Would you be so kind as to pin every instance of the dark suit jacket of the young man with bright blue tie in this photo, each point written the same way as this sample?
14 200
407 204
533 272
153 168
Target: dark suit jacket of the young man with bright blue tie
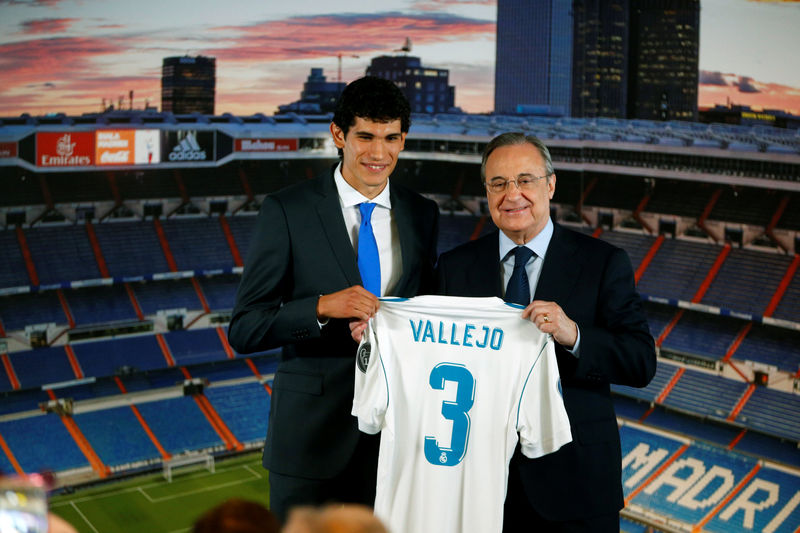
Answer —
300 250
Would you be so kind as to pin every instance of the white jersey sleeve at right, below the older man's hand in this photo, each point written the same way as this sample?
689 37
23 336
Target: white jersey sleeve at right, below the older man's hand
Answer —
542 419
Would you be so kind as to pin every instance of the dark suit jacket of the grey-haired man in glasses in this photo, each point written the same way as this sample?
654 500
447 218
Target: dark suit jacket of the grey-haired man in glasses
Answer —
593 282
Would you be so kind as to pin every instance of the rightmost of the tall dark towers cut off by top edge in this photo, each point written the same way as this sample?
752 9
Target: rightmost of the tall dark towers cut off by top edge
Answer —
664 49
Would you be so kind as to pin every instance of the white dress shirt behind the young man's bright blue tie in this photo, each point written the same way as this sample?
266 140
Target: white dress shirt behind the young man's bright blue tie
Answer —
384 228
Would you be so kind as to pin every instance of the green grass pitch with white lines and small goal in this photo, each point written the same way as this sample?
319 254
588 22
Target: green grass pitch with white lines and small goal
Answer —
150 504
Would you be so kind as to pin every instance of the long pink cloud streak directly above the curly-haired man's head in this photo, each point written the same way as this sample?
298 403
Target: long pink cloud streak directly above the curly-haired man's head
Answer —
316 36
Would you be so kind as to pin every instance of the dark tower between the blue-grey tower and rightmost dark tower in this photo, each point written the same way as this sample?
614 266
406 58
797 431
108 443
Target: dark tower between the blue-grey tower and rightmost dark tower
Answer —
600 58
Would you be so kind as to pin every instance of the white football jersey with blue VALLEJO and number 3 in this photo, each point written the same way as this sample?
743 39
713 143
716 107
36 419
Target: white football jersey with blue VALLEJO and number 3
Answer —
450 382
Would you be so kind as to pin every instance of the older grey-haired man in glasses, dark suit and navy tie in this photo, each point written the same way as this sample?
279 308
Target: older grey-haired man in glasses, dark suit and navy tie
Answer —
581 290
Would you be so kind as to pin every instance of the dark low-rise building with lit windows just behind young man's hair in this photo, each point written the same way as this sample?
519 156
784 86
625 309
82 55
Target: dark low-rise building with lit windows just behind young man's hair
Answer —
426 88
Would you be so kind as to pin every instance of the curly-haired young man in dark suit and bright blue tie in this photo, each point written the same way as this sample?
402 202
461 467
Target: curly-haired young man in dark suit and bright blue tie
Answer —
303 282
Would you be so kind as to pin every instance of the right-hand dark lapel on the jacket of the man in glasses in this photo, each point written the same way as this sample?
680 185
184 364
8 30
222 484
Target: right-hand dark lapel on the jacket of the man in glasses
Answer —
560 269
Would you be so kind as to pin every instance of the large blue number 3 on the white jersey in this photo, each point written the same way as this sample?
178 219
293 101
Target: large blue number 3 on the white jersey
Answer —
456 411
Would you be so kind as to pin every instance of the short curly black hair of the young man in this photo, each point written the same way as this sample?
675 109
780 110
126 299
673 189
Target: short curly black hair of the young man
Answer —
374 99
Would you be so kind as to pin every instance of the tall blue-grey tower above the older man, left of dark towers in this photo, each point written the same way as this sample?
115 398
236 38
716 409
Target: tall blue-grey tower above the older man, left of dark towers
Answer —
533 66
